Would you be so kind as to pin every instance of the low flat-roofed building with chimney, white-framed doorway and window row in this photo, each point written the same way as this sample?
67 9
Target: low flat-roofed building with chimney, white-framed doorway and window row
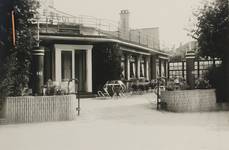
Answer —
70 47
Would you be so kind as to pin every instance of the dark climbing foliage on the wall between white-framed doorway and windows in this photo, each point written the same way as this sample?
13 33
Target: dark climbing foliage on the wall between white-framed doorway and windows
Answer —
106 64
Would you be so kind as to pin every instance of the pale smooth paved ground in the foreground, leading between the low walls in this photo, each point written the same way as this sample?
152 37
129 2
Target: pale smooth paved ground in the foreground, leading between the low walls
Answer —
130 123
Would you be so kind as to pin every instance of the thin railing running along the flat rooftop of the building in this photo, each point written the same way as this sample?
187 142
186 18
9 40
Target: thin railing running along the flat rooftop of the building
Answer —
103 27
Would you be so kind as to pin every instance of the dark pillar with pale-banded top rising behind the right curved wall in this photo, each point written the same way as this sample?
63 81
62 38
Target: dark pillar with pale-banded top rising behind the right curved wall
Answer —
190 60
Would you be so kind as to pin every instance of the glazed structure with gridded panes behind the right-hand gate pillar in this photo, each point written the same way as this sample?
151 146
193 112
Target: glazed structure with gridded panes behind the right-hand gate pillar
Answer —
200 66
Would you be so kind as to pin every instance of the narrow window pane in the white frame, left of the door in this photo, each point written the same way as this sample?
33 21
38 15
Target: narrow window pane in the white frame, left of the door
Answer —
66 65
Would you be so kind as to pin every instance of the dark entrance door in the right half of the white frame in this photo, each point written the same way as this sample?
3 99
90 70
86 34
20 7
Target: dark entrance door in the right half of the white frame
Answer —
80 68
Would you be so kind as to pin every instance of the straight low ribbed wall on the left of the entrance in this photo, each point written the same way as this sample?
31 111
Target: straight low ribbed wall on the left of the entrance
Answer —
40 108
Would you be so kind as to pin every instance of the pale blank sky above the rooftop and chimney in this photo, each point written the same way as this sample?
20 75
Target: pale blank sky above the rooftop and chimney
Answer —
172 17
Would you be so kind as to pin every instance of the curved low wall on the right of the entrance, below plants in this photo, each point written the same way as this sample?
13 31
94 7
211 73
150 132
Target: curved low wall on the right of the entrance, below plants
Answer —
191 101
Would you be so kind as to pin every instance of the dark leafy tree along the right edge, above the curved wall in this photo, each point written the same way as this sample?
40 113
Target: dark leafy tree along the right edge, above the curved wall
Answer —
212 34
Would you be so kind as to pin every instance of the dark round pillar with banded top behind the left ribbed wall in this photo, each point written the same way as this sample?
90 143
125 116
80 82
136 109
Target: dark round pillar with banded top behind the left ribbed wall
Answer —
37 70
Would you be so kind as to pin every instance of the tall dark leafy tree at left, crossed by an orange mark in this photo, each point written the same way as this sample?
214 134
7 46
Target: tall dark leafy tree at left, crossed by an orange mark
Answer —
16 59
